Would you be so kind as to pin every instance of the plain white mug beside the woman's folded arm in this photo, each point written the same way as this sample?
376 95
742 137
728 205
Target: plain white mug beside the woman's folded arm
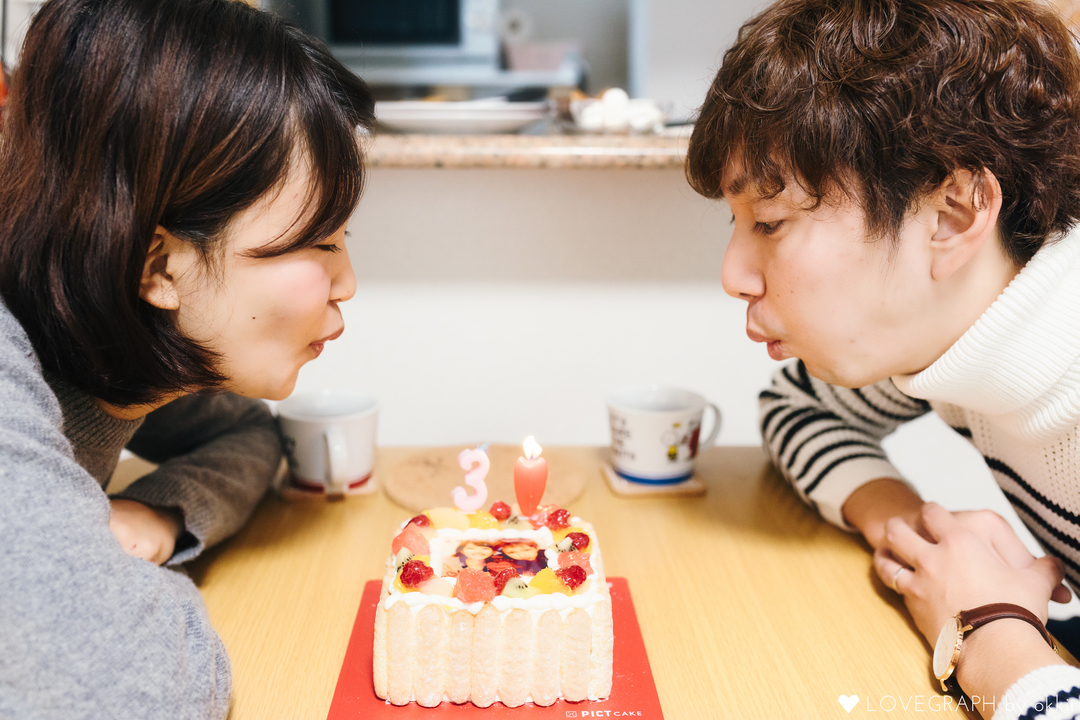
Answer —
330 439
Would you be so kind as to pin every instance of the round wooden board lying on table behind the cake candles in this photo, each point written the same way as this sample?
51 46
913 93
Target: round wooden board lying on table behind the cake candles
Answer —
425 480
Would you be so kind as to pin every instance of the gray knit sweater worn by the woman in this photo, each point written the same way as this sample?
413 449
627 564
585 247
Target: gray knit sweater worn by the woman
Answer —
87 631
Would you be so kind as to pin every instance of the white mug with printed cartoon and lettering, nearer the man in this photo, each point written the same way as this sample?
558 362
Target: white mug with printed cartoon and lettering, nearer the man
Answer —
656 432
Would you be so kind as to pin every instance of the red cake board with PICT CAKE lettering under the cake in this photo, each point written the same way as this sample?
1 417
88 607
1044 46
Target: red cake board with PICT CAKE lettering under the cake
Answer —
633 691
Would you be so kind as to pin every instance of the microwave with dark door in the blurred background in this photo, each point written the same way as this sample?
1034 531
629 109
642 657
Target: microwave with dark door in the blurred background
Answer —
411 33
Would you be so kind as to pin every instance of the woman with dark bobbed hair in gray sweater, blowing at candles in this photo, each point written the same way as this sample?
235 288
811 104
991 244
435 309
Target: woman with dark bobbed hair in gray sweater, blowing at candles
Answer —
175 180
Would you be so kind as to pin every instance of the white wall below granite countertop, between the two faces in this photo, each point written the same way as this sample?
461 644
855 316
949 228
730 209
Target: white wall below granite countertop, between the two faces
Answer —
476 284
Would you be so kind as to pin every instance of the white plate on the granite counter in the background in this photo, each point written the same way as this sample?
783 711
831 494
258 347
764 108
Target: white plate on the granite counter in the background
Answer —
477 117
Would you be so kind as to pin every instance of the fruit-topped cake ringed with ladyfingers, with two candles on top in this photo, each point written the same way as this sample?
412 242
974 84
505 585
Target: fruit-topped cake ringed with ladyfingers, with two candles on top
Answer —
504 605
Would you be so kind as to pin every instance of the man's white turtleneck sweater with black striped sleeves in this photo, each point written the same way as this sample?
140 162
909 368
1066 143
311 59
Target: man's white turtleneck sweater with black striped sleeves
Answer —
1010 385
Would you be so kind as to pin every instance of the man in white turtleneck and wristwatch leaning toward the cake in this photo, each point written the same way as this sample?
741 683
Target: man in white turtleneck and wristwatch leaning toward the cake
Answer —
904 178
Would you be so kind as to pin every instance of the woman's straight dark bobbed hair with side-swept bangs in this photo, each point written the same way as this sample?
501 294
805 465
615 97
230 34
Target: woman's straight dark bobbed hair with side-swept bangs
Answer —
129 115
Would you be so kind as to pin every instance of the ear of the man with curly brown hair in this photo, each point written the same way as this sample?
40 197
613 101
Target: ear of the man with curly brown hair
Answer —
967 207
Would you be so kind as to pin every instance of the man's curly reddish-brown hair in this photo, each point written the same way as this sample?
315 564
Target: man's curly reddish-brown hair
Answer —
884 100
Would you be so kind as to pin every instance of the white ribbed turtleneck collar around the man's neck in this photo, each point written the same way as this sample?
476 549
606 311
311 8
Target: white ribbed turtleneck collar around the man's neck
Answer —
1020 363
